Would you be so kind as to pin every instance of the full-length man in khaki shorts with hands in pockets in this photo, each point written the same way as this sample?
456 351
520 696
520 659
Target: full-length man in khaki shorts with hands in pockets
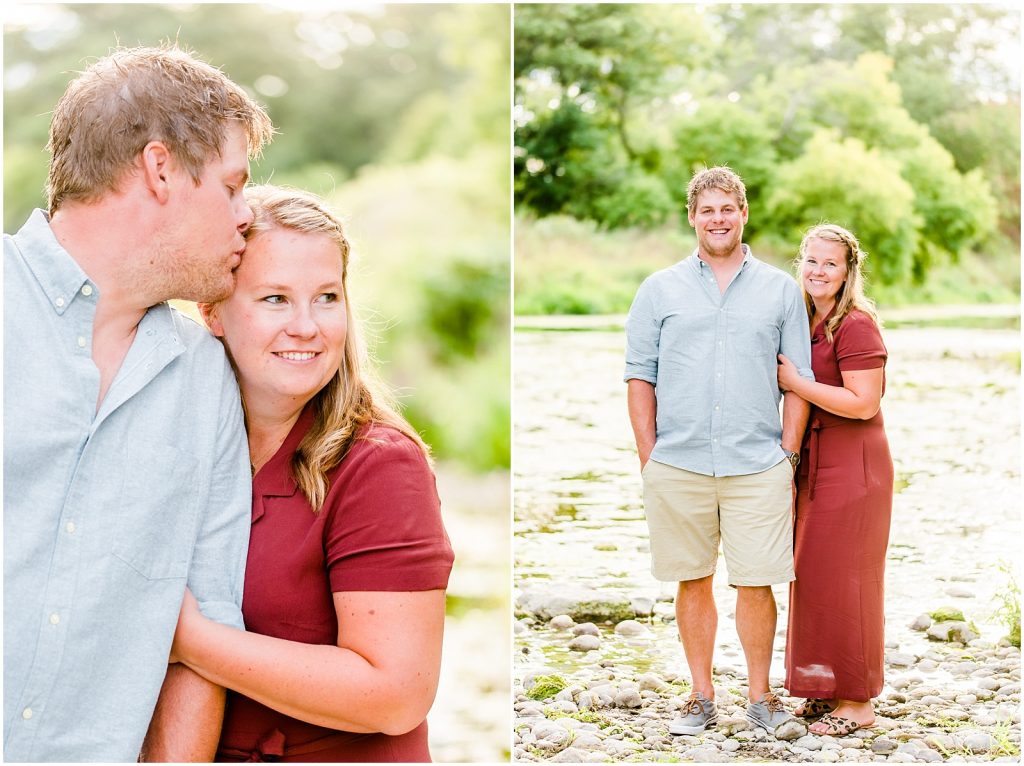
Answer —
701 365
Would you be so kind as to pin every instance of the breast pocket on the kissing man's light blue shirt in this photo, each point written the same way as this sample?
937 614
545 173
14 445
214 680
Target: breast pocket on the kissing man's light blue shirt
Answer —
156 521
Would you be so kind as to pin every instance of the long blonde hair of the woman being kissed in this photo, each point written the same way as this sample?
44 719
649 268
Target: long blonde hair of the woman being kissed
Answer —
355 396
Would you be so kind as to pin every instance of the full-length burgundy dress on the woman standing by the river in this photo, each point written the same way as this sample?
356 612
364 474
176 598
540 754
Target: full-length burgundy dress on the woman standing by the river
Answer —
836 641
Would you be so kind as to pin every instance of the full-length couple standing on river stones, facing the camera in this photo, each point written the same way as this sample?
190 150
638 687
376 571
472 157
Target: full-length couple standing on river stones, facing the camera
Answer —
713 345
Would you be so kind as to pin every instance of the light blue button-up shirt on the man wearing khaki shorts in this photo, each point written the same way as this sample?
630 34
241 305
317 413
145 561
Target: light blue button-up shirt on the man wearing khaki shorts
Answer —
712 360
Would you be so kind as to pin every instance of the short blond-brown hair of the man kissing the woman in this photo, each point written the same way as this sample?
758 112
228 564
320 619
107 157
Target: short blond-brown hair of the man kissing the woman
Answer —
136 96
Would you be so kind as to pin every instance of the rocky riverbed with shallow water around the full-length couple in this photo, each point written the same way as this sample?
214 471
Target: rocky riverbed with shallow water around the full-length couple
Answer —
600 671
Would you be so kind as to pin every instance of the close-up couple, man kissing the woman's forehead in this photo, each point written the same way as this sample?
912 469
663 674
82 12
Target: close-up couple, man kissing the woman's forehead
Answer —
137 480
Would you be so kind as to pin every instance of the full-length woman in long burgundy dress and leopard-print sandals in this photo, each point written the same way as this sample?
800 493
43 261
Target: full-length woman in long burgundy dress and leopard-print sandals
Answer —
836 643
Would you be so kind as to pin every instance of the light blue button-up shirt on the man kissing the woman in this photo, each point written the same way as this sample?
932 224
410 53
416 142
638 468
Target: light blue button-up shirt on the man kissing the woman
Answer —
107 516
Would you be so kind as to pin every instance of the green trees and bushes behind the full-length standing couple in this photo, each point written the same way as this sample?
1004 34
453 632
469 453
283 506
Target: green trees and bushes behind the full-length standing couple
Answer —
901 122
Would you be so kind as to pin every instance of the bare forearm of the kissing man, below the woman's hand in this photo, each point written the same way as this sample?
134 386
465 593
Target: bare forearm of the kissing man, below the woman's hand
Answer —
186 726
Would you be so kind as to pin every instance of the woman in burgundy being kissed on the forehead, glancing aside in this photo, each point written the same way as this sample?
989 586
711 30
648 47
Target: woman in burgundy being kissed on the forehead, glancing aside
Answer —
349 560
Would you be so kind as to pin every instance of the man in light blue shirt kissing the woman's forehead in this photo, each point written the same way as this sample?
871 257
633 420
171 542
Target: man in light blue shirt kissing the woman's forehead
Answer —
126 471
